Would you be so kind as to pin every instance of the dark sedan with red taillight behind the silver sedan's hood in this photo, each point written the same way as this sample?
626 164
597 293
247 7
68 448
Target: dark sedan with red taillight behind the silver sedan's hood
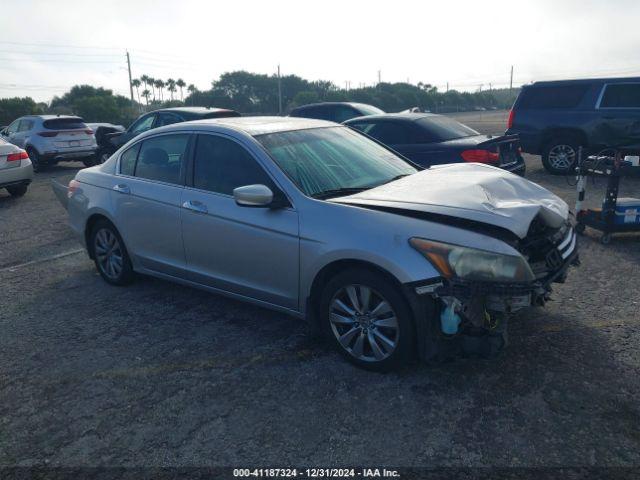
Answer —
428 139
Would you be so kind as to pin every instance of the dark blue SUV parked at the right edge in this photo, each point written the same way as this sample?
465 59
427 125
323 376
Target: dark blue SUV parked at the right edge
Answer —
554 118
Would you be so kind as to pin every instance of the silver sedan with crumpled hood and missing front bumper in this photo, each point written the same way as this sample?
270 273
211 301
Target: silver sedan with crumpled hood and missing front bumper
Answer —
315 220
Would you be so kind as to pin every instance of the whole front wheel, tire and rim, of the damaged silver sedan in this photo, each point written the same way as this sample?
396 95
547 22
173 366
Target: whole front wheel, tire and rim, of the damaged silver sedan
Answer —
367 319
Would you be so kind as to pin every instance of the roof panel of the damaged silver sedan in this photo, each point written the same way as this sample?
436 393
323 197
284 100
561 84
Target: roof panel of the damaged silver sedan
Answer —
252 126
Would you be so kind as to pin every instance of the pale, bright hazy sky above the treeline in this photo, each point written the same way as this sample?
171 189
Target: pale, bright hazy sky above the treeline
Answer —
48 46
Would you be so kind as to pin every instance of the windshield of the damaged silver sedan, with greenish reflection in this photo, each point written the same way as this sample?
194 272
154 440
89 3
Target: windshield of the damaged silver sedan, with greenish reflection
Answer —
331 161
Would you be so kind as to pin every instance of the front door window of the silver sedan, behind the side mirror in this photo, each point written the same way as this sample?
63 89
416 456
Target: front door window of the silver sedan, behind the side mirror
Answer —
221 165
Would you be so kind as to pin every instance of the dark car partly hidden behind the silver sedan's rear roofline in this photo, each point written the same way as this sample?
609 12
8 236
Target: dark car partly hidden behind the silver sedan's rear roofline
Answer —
110 142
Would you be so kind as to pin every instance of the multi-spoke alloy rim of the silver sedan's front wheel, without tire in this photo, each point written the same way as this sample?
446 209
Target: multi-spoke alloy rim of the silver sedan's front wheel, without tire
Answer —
364 323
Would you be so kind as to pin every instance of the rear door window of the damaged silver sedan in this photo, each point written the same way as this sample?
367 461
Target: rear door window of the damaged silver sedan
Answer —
160 158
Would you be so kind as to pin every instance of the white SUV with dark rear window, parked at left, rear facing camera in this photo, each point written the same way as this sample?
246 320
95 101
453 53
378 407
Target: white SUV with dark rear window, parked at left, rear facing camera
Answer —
51 138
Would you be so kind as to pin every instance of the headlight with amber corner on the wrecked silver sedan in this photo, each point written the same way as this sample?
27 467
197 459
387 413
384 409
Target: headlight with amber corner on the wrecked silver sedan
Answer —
473 264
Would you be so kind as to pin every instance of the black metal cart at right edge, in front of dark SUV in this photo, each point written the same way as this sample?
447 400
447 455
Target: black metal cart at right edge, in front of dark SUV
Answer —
613 169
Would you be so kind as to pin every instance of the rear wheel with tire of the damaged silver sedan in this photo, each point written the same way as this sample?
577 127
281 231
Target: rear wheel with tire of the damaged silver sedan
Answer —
110 254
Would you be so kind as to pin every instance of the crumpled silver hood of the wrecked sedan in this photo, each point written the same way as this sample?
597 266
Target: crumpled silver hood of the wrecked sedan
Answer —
471 191
